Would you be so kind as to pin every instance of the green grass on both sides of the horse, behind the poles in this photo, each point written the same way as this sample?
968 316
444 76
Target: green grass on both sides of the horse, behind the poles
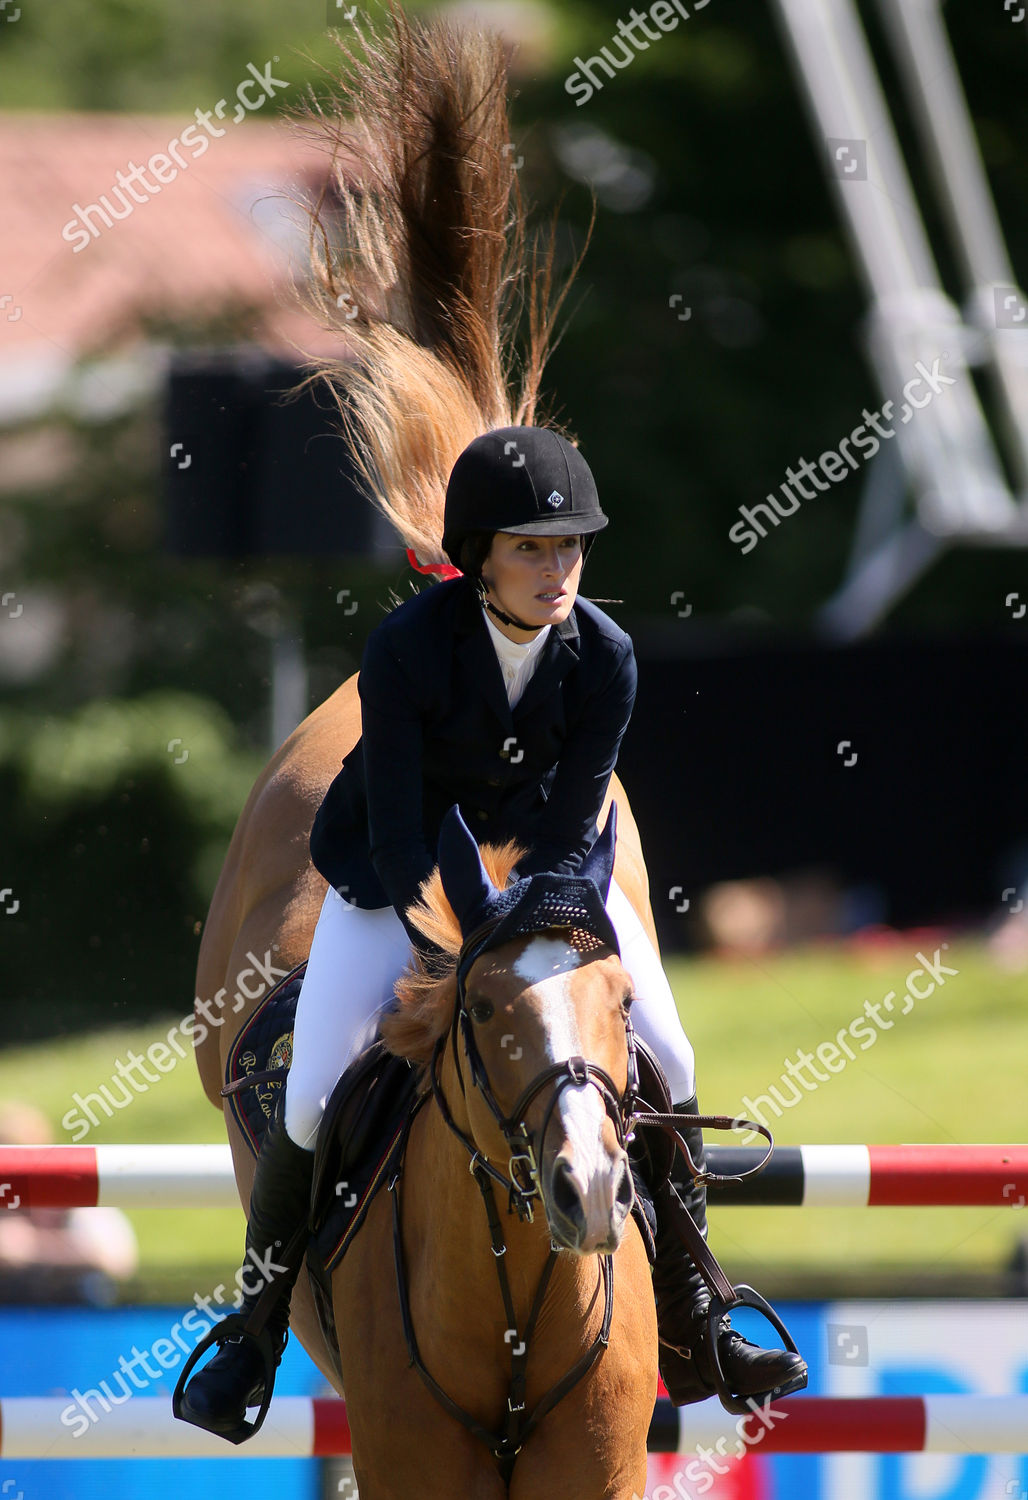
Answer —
952 1070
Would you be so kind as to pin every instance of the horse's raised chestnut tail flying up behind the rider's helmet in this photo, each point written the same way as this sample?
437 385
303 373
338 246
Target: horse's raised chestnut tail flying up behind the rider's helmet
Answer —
421 257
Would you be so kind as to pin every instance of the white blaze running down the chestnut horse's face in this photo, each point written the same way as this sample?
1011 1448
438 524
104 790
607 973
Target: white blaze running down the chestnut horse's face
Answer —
547 965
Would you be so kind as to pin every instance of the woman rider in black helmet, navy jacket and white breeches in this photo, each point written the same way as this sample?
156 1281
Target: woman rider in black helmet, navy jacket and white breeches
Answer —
508 694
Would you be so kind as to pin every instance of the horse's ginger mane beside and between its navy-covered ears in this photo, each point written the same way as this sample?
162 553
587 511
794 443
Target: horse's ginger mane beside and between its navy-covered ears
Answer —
425 997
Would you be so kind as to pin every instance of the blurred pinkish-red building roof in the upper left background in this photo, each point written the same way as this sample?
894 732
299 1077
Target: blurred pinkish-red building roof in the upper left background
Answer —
214 245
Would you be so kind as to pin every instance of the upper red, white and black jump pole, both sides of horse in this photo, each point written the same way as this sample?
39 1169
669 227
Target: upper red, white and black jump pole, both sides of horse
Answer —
811 1177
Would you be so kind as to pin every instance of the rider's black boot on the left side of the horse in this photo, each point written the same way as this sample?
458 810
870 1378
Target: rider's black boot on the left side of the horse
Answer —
217 1397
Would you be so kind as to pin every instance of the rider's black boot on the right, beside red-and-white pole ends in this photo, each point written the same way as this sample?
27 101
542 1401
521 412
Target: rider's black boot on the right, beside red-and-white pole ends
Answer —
684 1300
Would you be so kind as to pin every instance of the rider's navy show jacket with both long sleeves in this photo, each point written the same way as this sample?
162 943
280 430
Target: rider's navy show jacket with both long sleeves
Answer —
437 730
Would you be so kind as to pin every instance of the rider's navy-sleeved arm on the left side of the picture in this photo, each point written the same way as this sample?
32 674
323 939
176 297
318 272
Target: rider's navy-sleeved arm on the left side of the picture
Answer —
392 748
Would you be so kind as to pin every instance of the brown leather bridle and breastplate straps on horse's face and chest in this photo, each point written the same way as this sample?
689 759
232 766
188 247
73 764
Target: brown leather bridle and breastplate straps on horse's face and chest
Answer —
523 1187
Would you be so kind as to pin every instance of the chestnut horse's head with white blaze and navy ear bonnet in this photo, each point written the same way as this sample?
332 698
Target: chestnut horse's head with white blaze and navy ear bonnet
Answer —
543 1009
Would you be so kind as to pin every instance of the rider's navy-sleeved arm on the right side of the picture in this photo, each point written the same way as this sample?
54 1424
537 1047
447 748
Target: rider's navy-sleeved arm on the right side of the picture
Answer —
585 772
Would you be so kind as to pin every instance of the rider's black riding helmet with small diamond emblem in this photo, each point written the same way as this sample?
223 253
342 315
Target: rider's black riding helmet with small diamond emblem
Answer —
528 481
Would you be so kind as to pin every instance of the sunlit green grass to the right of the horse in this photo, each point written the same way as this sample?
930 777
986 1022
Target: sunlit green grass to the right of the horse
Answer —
952 1070
